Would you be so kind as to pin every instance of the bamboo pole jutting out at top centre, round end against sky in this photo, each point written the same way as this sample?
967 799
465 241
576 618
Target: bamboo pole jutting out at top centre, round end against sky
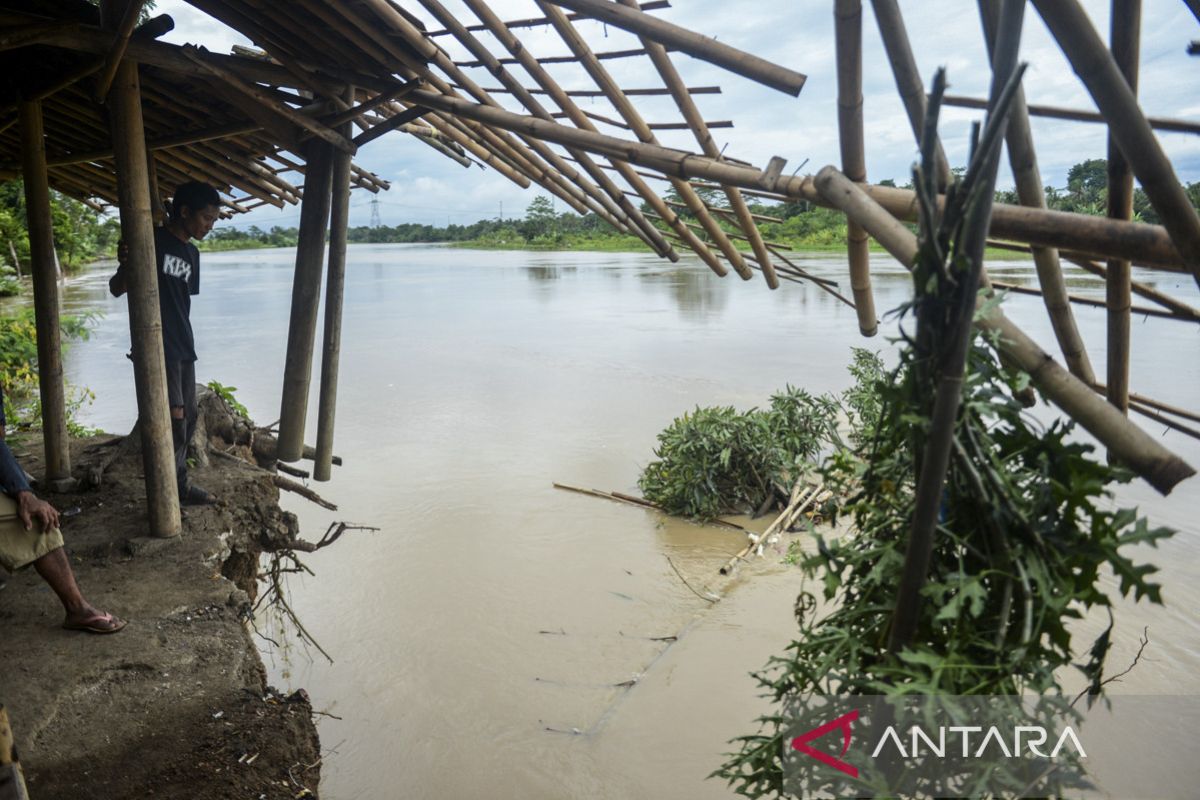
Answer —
694 45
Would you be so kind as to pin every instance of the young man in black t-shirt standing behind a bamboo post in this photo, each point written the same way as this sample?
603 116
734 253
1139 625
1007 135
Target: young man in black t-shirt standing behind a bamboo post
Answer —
193 213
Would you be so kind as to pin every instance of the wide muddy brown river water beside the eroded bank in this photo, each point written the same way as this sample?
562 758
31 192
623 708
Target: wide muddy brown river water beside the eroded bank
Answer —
502 639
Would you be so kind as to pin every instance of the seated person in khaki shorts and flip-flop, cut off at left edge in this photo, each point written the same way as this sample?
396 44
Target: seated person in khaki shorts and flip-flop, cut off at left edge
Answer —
29 534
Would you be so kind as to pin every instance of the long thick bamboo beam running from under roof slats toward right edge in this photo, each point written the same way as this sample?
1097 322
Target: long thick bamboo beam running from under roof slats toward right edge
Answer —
1079 233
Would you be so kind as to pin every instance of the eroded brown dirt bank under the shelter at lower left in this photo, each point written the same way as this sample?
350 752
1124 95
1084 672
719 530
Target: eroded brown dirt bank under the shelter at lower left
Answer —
176 706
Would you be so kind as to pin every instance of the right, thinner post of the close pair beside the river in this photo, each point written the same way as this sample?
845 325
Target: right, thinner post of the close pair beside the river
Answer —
332 341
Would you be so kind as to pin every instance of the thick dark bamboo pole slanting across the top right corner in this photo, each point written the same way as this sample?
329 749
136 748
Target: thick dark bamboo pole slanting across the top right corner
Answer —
1100 73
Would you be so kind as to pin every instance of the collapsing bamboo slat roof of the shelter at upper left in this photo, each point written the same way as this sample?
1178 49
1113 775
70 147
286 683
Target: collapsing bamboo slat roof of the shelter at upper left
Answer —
244 122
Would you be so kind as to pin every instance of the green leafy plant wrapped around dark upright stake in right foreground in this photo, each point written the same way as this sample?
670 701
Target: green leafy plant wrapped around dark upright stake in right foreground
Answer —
1024 532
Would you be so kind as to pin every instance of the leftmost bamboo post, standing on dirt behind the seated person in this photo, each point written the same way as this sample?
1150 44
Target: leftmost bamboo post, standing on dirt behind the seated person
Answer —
46 293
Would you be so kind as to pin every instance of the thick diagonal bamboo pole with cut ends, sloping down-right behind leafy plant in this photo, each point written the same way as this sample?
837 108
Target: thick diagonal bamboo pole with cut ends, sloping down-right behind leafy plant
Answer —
1149 459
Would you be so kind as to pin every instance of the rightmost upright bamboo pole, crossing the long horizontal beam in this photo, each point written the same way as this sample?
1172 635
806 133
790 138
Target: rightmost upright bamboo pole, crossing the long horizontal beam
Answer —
1125 34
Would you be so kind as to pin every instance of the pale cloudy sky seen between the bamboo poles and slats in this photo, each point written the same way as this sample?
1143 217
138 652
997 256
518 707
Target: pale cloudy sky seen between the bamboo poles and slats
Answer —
799 34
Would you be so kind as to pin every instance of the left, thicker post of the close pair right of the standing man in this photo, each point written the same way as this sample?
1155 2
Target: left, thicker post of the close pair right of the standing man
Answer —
305 299
